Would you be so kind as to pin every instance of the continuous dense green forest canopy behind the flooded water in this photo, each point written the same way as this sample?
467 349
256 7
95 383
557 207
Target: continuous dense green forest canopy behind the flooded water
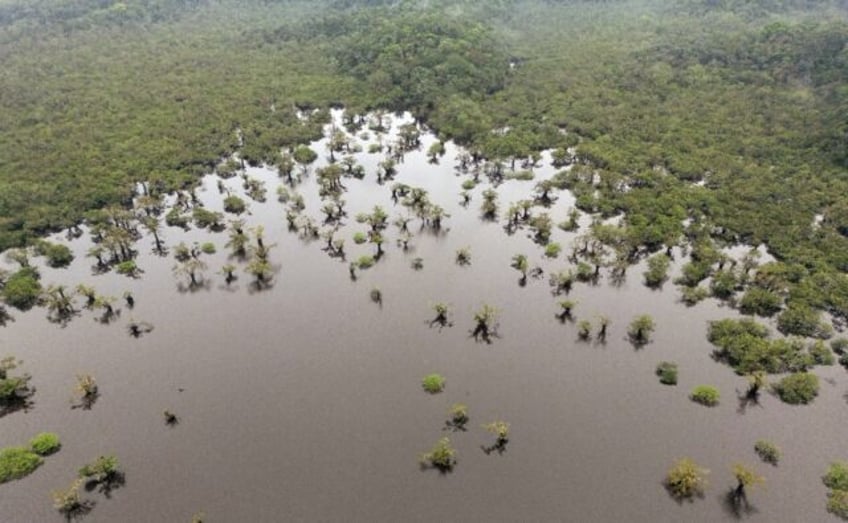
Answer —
704 123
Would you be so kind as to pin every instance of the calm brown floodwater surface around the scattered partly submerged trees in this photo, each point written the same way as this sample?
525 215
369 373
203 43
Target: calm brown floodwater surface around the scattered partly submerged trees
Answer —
303 402
